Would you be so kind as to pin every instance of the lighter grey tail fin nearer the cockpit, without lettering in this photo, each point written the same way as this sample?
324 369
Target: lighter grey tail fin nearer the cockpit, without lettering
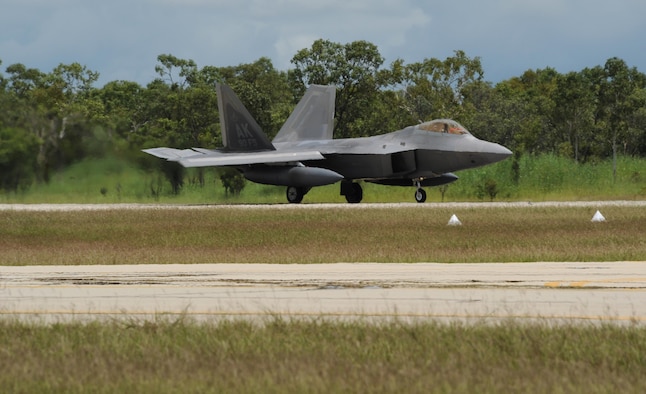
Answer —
313 117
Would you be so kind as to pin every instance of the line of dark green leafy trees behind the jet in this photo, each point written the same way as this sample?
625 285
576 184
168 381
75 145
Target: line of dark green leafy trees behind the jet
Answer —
49 120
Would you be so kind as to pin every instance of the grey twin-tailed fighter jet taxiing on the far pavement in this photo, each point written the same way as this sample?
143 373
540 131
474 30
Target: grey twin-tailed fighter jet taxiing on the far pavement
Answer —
304 154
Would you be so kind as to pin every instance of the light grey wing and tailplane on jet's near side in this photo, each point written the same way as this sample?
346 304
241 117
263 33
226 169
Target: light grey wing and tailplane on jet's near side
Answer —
212 158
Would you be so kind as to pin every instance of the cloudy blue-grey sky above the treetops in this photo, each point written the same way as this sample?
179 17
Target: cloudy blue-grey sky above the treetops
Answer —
121 39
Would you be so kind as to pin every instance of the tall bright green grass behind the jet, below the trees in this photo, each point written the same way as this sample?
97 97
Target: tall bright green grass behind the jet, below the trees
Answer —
541 178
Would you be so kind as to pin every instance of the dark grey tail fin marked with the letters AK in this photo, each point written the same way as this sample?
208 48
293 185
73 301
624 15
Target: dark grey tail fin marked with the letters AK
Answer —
240 132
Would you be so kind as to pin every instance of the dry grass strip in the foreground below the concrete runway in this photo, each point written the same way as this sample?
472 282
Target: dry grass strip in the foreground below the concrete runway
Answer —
320 356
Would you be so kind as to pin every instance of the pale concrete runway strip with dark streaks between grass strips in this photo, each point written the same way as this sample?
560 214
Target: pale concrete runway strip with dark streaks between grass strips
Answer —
590 292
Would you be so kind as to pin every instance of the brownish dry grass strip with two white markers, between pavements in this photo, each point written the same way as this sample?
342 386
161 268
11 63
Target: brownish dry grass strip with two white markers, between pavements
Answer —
235 235
